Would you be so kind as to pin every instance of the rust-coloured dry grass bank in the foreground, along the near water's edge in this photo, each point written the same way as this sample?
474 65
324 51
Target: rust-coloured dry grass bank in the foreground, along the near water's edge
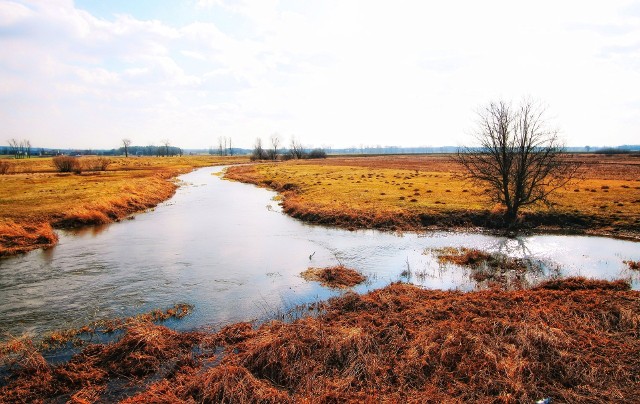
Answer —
569 340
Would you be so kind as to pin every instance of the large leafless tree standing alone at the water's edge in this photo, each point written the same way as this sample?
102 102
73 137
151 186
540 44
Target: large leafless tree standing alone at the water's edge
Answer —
519 158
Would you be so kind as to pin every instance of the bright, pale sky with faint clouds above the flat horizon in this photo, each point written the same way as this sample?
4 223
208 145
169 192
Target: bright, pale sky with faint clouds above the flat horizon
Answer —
331 73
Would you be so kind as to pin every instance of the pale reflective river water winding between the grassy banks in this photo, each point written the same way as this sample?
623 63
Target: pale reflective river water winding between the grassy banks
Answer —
226 248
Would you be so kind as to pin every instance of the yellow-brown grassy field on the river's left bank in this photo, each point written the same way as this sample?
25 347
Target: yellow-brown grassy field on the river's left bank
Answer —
35 198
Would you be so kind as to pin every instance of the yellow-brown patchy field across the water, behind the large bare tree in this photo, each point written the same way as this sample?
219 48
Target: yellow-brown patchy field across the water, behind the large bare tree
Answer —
427 192
